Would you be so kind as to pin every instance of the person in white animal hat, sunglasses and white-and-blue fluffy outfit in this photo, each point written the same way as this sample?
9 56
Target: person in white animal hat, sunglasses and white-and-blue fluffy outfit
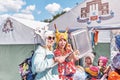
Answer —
43 61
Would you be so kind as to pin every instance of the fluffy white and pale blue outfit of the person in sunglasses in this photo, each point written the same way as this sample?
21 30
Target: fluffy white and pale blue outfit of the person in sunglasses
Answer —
42 62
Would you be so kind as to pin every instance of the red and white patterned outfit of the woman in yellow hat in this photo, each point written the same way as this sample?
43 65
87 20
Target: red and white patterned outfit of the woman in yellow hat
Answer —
65 69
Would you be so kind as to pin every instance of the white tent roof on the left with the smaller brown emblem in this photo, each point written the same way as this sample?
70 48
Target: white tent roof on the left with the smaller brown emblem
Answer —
18 31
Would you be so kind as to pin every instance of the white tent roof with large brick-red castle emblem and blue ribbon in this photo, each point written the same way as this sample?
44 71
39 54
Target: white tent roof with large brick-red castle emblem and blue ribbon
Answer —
90 13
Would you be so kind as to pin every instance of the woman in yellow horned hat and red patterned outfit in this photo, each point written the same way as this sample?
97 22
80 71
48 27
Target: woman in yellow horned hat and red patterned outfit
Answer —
67 68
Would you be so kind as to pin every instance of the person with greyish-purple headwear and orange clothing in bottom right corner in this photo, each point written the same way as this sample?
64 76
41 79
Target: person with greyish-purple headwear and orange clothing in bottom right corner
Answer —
115 74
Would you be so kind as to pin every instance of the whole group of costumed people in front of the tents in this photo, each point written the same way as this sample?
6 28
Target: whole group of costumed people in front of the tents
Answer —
58 63
